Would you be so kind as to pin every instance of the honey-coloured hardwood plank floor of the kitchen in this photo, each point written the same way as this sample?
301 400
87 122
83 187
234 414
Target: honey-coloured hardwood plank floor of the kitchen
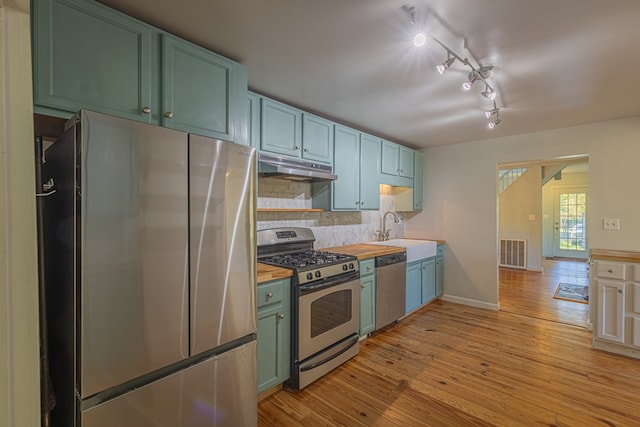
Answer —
452 365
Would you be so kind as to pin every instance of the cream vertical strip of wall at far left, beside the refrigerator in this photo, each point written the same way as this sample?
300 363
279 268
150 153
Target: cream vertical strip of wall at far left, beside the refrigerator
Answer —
19 355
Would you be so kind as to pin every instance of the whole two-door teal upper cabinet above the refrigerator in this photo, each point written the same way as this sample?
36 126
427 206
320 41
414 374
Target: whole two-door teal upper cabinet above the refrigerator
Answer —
87 55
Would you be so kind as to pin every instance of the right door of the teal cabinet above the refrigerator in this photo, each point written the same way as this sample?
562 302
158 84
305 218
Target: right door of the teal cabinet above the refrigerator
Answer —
201 91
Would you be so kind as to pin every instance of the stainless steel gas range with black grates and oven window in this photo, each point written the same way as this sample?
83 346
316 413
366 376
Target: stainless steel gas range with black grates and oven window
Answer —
325 302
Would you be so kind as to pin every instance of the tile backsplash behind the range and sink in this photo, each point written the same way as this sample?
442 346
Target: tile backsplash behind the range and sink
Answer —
329 228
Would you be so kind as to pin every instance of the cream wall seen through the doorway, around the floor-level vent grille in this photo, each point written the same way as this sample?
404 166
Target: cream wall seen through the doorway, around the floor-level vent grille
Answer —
519 214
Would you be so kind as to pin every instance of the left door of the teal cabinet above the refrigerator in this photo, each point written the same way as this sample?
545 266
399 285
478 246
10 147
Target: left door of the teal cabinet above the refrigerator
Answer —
89 56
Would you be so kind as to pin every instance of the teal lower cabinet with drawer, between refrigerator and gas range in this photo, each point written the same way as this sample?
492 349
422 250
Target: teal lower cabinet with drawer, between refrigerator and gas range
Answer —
274 313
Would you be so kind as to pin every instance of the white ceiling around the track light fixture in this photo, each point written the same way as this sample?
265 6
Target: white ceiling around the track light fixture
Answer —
557 62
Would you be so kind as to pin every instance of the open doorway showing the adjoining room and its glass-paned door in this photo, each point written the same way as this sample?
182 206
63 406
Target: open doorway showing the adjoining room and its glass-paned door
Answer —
550 212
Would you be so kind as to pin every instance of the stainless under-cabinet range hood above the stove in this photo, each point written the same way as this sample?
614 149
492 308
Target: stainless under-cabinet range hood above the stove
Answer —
293 169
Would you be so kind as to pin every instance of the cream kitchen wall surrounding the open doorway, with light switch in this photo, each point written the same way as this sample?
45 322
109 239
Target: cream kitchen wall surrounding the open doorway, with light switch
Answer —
461 199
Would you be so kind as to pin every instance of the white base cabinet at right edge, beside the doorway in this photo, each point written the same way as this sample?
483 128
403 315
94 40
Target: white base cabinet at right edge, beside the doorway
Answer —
616 303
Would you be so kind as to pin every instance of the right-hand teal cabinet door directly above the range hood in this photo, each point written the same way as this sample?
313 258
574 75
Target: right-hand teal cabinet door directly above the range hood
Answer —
317 138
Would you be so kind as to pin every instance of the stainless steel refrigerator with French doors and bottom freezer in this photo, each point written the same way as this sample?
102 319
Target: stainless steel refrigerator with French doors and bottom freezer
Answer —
150 283
